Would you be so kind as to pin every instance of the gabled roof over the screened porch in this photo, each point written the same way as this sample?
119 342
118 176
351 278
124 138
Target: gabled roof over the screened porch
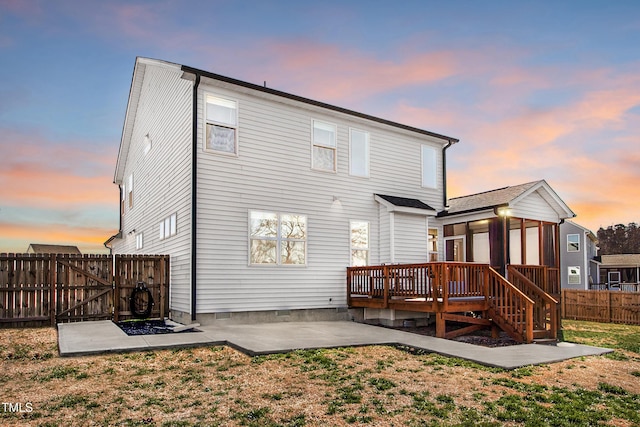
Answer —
507 197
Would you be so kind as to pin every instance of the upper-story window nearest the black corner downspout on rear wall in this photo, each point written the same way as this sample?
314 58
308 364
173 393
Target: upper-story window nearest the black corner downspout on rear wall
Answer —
222 124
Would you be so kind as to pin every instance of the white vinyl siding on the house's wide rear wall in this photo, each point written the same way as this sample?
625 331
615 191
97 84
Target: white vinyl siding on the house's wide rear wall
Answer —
273 175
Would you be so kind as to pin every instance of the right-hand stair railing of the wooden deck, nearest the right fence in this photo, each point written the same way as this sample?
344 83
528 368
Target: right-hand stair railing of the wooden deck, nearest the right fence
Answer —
546 312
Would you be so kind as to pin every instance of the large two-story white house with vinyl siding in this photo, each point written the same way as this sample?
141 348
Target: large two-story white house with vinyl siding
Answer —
263 198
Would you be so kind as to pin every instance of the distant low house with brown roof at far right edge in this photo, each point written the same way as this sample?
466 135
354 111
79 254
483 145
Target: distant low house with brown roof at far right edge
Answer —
620 272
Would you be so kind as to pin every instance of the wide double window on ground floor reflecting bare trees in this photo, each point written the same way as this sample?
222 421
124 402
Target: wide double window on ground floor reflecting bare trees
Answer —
277 239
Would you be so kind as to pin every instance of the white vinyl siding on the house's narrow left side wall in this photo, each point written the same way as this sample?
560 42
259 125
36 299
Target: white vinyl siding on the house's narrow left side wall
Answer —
162 175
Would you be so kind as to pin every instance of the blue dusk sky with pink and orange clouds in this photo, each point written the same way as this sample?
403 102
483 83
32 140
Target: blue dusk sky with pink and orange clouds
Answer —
533 90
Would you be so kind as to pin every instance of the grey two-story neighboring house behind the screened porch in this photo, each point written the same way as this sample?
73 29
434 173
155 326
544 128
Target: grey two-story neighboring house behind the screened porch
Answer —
579 267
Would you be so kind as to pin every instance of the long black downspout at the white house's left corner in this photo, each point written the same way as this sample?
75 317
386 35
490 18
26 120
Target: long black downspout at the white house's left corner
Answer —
194 198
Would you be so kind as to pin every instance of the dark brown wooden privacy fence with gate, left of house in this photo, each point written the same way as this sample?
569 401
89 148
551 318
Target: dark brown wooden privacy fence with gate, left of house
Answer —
43 289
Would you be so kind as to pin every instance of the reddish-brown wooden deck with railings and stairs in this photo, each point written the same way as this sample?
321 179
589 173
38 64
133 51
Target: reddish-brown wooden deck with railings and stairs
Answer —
453 291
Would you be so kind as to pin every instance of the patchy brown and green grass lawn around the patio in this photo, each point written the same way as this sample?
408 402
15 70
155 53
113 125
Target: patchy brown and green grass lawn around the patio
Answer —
377 386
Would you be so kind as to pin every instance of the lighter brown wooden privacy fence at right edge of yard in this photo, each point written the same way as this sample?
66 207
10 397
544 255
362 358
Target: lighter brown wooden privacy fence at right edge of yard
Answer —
601 306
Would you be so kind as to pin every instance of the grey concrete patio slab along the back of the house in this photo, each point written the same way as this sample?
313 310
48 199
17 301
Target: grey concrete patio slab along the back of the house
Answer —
83 338
